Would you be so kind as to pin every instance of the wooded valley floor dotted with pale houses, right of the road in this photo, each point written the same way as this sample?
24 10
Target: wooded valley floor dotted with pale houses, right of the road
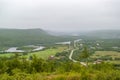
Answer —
102 44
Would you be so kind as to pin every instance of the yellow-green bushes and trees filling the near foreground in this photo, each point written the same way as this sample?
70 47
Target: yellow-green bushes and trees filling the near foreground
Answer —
39 69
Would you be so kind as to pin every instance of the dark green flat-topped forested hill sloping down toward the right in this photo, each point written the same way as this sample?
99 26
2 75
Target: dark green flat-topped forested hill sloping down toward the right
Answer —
19 37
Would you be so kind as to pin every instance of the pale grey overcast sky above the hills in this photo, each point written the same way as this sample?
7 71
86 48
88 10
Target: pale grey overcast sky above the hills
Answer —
60 14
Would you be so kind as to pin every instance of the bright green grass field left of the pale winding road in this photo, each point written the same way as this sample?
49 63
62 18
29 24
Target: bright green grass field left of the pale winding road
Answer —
41 54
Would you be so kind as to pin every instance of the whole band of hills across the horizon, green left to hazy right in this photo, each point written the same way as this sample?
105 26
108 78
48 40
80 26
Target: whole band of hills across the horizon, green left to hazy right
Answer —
20 37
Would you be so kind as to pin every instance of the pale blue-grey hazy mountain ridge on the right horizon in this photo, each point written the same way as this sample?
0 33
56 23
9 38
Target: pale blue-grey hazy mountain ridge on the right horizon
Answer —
104 34
